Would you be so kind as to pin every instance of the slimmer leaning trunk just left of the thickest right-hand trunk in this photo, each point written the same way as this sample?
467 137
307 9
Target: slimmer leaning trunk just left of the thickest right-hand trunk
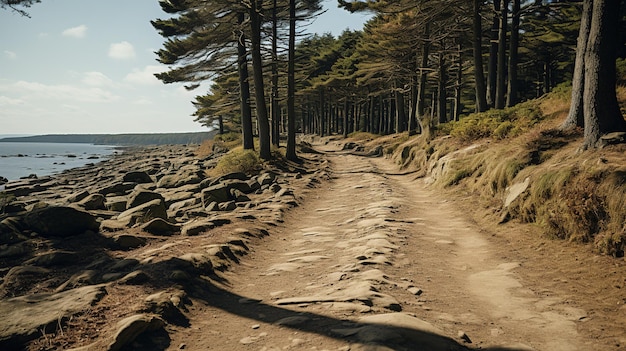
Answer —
575 117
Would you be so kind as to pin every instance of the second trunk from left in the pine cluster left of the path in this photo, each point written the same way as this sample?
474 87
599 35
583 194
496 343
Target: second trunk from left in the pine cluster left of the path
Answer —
265 151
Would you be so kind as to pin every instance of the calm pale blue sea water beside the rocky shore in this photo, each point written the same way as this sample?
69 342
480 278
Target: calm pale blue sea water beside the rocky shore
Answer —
23 159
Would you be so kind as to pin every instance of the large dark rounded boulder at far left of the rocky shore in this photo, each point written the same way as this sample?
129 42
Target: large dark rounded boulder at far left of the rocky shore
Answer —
60 221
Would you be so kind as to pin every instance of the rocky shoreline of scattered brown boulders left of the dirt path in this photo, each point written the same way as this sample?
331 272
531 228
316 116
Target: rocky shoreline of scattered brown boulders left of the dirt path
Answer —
94 257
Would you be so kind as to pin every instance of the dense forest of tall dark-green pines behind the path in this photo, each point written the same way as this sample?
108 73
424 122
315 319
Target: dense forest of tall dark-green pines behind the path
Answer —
414 62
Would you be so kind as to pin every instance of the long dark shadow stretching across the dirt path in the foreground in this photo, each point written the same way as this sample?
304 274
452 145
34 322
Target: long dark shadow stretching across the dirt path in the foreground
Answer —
393 331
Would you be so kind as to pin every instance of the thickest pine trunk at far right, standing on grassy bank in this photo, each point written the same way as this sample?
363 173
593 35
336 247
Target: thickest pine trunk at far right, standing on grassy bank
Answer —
601 110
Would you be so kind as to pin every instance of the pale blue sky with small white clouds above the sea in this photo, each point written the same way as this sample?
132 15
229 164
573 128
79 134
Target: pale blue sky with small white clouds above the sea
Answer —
86 66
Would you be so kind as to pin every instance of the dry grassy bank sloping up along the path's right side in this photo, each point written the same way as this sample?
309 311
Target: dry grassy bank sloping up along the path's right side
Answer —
520 167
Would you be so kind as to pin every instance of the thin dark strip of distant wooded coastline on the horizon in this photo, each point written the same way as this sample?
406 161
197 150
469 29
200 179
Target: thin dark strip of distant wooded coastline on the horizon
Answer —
117 139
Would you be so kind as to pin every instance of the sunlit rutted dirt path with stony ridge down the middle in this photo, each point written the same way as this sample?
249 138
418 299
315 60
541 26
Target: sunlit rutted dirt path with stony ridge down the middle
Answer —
375 260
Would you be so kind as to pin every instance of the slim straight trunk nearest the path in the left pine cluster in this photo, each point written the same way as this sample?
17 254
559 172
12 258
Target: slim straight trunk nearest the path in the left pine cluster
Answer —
290 153
